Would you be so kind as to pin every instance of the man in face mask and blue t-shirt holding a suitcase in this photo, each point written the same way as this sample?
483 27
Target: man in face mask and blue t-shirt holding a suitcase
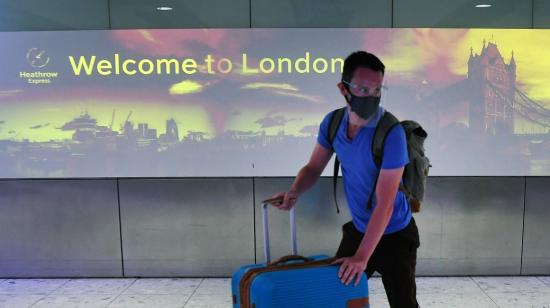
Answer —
382 236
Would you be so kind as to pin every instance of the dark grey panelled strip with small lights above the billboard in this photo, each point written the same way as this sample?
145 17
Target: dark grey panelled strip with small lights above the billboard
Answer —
37 15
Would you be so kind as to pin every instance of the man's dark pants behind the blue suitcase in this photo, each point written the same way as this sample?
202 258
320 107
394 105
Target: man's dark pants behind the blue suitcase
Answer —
394 258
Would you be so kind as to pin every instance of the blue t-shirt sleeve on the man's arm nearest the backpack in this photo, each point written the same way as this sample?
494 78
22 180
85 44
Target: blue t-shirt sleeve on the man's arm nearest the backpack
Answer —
395 150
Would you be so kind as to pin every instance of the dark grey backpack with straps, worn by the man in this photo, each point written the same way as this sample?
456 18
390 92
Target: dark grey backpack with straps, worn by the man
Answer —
415 173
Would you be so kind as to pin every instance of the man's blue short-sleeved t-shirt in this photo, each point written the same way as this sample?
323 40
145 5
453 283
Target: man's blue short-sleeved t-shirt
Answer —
359 169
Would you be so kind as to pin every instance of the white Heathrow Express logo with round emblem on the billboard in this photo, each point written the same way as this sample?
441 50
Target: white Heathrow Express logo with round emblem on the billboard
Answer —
37 59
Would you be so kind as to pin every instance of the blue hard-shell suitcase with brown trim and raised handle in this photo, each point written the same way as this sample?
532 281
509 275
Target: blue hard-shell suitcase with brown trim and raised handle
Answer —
294 281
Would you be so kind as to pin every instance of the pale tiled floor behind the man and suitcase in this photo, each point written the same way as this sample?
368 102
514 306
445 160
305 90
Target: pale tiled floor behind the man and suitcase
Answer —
445 292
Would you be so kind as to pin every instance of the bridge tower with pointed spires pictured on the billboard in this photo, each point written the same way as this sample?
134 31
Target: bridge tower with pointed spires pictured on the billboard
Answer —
492 85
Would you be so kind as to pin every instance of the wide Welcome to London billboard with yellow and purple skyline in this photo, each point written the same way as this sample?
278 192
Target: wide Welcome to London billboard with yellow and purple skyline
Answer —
248 102
